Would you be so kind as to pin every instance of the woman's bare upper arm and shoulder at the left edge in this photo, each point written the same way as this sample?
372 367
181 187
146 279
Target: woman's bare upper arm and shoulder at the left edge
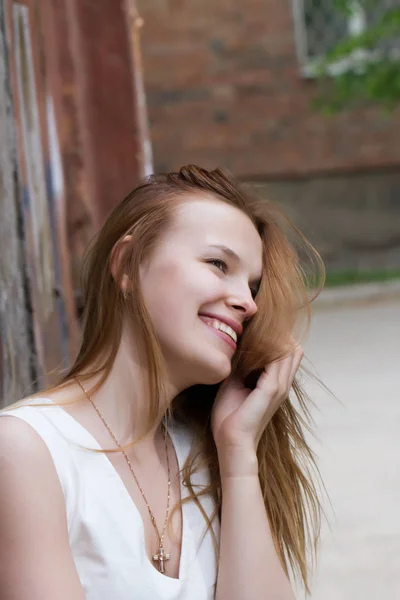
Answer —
35 558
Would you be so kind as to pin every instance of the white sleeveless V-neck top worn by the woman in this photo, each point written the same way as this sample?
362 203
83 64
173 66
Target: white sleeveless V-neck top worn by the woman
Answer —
105 528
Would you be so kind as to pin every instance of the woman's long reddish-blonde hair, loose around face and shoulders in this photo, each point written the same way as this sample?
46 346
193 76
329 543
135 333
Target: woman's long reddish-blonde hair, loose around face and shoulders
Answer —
287 468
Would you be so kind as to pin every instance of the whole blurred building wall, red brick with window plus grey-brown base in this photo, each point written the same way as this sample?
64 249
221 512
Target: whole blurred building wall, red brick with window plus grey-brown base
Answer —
230 83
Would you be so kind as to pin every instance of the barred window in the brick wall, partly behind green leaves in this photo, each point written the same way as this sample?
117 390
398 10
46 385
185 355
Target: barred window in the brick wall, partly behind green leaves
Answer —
321 26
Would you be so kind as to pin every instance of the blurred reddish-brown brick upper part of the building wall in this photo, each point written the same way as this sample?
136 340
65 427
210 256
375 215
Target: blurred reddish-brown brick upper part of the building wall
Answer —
223 87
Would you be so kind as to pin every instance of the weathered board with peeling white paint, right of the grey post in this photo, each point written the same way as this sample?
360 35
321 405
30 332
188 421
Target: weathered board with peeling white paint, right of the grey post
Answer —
39 171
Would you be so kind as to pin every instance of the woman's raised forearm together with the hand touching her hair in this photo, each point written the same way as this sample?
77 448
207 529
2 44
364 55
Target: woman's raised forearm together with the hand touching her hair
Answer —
249 568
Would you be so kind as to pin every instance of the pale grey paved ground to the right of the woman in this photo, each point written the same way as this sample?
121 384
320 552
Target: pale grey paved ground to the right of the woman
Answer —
356 352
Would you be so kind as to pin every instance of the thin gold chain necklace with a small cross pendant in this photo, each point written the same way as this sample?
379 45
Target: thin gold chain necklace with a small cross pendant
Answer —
161 556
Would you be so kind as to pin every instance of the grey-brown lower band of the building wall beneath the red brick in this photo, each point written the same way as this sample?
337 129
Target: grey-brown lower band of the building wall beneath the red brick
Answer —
352 219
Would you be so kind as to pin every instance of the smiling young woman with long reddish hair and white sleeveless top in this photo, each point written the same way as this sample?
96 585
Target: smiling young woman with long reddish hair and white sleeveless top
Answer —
169 463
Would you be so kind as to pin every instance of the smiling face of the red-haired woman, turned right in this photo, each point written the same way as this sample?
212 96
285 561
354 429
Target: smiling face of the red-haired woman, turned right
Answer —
198 286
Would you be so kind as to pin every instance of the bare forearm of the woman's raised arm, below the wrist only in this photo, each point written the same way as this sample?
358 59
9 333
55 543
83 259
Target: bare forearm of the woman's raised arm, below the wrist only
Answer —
249 567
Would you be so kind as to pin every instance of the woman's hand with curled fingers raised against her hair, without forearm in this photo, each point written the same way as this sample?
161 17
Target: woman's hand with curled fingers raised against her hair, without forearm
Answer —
240 415
